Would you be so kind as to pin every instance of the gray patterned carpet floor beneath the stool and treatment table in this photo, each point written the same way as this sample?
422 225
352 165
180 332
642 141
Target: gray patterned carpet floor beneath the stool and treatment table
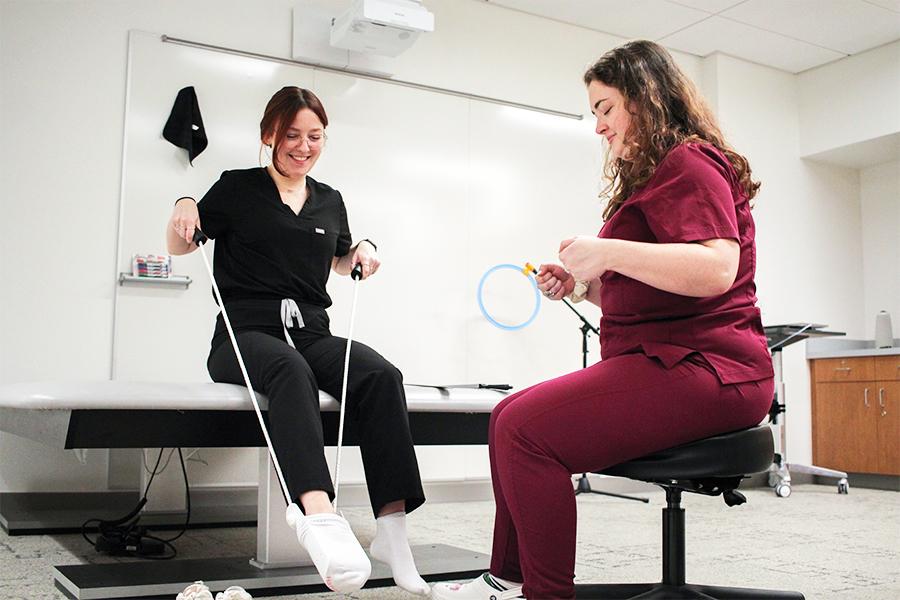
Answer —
818 542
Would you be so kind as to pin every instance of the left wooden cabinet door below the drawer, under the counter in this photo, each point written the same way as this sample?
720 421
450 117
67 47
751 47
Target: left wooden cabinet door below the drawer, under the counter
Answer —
844 427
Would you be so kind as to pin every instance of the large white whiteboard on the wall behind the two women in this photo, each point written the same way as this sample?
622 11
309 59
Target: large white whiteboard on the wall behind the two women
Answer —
446 186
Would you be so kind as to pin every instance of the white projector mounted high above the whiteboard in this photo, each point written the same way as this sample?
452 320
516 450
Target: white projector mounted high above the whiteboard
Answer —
385 27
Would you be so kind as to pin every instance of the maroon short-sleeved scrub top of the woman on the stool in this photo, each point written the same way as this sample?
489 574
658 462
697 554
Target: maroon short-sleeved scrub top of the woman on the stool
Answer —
693 195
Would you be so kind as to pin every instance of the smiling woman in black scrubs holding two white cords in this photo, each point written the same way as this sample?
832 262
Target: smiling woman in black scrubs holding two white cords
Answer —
278 235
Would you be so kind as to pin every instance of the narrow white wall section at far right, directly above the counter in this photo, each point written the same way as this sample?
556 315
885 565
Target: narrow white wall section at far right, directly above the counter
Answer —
880 197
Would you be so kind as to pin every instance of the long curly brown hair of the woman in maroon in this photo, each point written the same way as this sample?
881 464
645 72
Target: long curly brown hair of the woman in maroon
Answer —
666 110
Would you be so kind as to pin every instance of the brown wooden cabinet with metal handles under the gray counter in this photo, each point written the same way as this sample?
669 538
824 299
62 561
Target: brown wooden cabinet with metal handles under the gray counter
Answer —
856 414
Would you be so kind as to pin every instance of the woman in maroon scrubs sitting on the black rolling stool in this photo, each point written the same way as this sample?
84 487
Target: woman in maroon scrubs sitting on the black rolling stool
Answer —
684 355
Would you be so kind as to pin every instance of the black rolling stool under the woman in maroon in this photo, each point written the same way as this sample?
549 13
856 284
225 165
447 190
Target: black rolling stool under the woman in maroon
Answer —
711 466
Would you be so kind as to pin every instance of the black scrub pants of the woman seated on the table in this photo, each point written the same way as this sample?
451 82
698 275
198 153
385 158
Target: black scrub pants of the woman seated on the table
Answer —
291 379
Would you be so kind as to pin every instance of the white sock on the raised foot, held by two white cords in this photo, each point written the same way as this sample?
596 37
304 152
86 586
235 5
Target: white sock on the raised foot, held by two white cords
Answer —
327 537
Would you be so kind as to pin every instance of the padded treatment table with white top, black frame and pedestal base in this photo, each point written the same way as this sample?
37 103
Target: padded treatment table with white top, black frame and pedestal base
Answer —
116 414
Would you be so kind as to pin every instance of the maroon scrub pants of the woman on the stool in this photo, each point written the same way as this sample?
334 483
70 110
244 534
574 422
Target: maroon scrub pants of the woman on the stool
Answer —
614 411
